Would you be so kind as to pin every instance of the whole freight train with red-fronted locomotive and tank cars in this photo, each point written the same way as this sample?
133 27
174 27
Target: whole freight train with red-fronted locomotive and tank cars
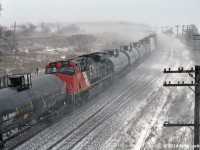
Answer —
66 83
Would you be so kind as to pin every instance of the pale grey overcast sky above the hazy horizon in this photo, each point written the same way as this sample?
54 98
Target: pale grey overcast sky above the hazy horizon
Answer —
153 12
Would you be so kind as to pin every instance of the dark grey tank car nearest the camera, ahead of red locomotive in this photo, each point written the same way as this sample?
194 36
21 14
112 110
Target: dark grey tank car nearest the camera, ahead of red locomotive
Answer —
23 100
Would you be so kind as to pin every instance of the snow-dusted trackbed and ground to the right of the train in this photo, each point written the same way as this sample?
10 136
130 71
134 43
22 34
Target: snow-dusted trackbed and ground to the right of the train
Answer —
130 114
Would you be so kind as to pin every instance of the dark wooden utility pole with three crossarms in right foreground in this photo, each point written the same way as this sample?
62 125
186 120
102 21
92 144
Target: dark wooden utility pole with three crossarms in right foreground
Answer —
196 84
